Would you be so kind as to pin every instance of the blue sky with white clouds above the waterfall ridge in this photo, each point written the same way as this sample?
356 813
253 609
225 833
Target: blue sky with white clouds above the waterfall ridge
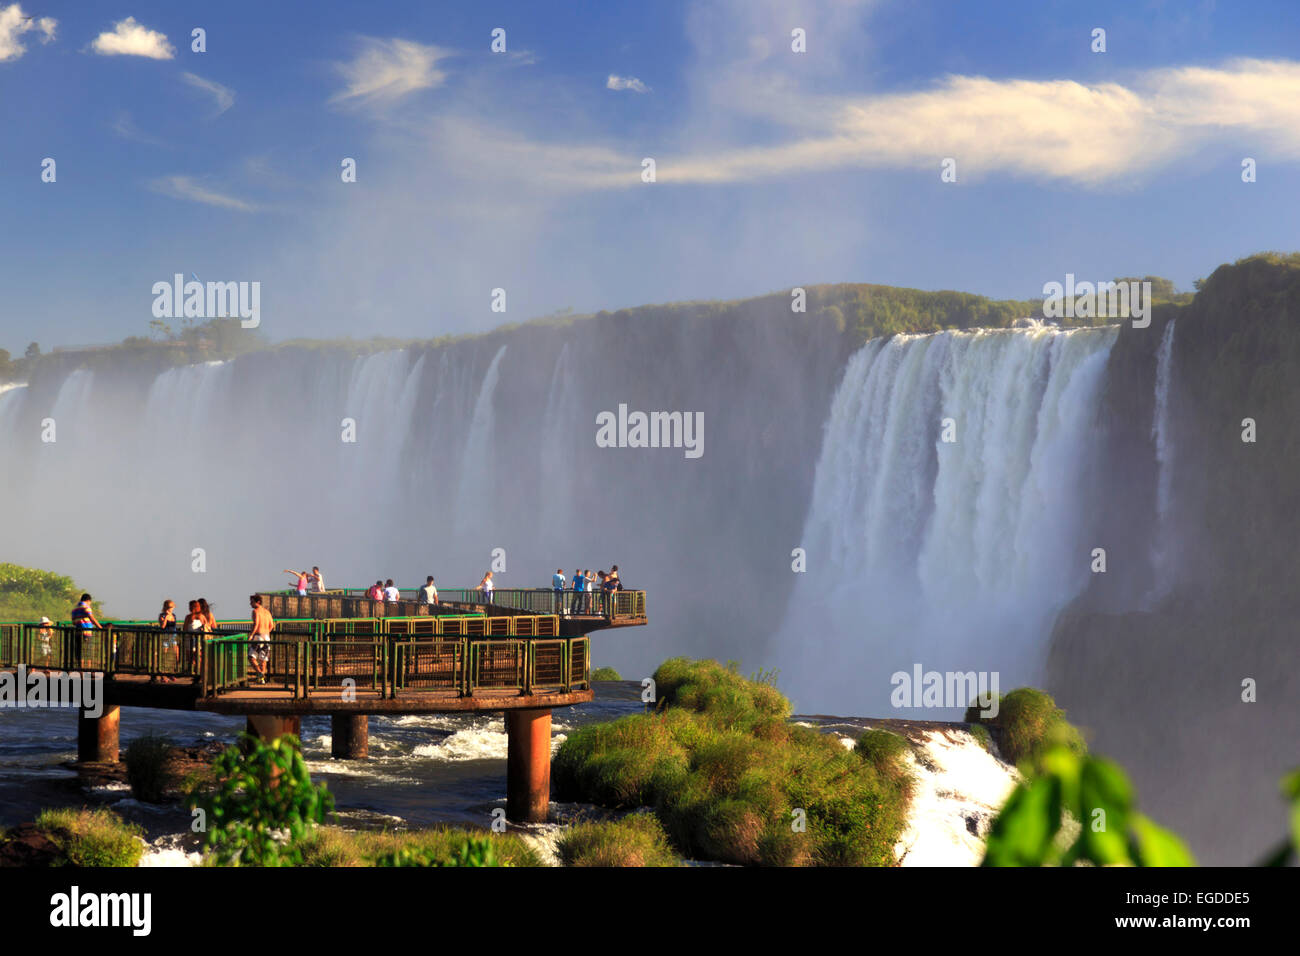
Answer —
522 170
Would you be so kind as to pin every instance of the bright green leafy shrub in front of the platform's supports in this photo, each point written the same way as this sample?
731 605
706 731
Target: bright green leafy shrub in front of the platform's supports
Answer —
263 804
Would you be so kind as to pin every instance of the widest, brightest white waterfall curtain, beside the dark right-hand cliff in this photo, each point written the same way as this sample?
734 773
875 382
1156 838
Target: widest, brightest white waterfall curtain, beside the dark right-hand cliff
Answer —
944 529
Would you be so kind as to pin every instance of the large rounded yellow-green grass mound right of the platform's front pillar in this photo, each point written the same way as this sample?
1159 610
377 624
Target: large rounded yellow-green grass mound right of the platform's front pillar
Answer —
731 781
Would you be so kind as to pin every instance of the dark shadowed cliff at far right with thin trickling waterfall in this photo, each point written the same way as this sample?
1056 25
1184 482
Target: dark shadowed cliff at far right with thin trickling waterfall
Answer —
1182 660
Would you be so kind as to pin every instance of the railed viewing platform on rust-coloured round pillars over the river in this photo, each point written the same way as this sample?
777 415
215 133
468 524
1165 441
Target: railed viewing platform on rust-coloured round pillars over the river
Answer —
343 655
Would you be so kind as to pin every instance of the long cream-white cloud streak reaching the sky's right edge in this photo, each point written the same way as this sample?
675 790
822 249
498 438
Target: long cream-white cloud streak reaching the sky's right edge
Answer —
1046 129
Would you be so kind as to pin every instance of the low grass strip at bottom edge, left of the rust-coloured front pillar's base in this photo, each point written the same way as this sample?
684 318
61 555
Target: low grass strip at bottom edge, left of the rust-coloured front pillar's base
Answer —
332 846
